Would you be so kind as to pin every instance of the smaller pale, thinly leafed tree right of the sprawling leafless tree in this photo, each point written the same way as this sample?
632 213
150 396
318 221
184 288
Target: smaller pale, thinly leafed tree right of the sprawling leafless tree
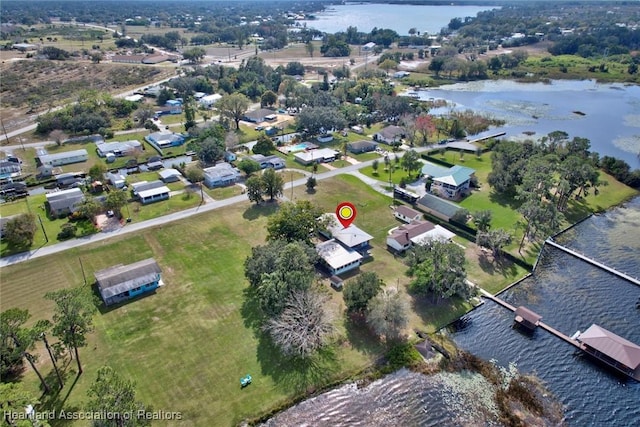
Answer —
388 314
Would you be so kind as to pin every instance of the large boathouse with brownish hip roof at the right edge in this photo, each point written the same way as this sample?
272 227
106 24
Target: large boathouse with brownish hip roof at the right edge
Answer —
612 349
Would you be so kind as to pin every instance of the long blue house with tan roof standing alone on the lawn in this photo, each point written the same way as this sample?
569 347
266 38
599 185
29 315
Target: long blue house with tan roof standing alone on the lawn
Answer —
122 282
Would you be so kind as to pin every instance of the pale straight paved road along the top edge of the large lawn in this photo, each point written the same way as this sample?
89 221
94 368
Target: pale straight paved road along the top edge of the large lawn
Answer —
207 207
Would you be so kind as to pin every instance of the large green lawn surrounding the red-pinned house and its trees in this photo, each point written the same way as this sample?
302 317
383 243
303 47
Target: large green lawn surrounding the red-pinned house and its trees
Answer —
197 332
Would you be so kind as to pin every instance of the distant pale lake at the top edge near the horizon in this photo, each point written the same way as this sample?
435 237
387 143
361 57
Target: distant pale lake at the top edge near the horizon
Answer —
400 18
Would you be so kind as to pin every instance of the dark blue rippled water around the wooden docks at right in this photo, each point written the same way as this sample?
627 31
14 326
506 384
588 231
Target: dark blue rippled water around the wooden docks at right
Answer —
571 295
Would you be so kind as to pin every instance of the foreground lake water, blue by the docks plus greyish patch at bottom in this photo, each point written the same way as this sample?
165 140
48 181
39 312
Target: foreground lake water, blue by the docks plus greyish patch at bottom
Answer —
569 294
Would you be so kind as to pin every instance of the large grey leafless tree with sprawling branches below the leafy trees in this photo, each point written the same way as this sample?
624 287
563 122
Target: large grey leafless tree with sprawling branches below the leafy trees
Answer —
304 326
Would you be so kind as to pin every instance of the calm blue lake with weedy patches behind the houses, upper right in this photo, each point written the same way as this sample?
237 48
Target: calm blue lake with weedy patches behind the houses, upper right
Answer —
609 113
